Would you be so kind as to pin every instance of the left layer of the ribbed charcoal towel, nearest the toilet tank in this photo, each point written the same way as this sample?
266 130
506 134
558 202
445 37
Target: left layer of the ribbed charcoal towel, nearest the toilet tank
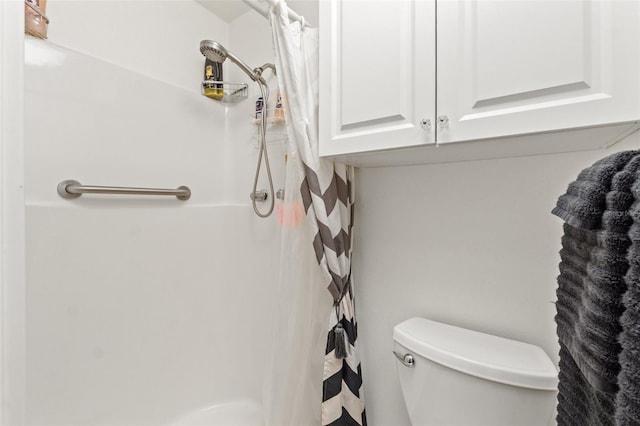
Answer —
591 286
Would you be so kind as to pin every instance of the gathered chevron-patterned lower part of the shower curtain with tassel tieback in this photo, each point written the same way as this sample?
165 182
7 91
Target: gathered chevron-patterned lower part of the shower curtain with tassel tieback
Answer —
327 193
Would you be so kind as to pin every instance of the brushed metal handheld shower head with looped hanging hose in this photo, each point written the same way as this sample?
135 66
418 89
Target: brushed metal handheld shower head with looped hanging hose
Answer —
215 52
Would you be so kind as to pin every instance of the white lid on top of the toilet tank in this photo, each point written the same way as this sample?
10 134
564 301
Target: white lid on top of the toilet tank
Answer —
478 354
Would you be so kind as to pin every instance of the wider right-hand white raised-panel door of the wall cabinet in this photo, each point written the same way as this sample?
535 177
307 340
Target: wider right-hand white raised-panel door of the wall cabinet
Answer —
515 67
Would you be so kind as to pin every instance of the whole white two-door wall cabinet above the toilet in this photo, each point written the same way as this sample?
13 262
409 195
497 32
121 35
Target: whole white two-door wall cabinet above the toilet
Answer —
419 73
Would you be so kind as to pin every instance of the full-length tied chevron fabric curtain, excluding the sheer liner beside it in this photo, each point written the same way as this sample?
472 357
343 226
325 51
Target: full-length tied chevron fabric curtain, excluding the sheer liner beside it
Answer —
327 195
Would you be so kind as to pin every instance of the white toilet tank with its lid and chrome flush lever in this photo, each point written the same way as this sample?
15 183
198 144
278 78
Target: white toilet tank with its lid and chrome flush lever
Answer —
454 376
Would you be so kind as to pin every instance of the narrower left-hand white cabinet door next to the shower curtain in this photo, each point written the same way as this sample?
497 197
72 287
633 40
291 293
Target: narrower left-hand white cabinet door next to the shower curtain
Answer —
377 75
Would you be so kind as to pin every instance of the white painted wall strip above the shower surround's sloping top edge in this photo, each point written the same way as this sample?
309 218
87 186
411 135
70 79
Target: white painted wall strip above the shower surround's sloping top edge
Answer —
155 38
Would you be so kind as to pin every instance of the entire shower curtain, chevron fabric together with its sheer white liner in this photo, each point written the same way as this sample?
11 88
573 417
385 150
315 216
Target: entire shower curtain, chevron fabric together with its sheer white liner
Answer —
317 216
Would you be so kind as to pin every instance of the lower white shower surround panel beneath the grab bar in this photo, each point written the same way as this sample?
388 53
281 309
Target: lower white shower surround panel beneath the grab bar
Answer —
140 314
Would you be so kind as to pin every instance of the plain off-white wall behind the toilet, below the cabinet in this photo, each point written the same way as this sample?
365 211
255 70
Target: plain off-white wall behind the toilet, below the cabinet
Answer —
471 244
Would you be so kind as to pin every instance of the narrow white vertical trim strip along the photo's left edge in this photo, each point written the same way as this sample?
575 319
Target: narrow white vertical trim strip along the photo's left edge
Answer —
12 212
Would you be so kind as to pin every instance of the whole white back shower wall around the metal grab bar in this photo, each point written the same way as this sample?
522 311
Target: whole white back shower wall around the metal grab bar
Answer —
139 310
